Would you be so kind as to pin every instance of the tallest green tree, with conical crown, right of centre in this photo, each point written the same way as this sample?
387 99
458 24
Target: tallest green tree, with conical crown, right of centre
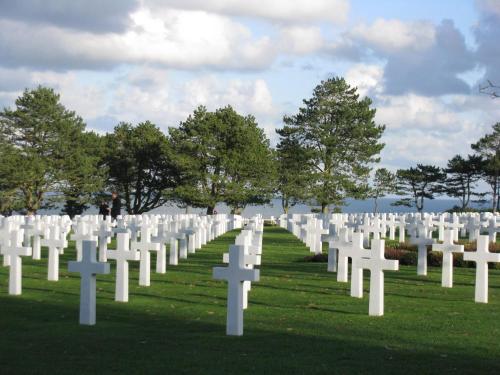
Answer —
337 132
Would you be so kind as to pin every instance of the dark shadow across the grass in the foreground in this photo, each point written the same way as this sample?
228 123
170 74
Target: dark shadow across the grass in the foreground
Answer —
170 344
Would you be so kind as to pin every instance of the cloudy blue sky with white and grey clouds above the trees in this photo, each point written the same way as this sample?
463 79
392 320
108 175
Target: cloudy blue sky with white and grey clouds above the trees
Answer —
135 60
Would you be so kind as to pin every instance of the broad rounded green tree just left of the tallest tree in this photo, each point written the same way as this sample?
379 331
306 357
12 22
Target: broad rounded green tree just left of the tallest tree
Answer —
224 157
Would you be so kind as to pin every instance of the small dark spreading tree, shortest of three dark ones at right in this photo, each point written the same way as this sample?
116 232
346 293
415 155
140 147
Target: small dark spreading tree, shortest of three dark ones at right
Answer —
422 182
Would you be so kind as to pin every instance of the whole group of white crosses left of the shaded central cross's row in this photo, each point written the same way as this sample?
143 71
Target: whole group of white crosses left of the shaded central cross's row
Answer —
22 236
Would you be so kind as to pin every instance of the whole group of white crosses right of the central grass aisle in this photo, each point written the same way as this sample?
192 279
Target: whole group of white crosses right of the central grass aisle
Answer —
344 244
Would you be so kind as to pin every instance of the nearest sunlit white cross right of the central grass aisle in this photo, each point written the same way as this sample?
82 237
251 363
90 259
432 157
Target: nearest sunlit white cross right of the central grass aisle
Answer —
377 264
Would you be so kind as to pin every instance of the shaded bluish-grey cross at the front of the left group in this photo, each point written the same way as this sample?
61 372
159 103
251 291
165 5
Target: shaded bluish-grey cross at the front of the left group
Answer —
88 269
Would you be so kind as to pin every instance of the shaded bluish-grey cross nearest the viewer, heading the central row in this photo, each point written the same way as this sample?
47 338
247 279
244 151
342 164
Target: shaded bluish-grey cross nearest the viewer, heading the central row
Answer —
235 274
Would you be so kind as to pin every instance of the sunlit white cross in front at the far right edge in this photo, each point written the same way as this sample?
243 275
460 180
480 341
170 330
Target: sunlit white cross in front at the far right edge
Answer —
482 256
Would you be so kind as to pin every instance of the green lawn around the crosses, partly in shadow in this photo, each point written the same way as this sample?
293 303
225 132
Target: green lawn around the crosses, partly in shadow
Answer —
299 321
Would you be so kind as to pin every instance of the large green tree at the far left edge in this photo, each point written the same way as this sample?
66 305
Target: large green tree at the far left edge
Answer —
39 131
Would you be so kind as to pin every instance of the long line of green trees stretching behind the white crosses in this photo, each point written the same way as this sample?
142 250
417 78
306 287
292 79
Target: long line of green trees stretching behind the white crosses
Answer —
324 155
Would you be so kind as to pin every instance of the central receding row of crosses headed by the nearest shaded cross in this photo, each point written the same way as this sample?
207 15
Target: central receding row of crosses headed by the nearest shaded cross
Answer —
243 256
